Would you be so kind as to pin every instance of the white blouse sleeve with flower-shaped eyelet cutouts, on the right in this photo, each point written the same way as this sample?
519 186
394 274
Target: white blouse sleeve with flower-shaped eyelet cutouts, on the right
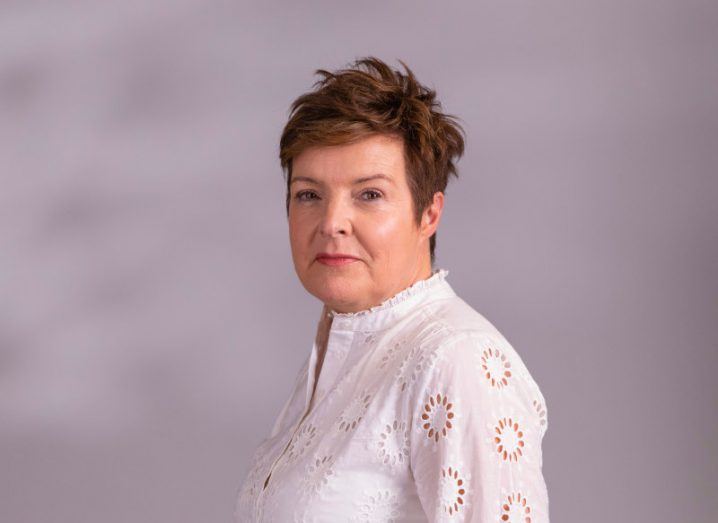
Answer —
475 446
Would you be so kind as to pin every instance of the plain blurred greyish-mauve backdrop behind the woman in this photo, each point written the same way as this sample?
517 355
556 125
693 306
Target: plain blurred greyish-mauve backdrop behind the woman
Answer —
151 322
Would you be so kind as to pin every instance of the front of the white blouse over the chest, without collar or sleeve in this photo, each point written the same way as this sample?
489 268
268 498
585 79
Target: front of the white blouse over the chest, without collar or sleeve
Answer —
348 452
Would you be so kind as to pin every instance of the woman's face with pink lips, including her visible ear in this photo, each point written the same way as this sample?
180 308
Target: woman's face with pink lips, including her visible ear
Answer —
339 204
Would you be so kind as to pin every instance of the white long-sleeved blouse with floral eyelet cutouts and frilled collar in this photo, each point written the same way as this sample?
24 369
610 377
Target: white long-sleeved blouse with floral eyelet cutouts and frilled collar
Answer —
422 412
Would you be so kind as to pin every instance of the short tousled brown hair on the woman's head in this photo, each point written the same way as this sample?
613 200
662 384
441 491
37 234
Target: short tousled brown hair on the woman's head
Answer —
370 98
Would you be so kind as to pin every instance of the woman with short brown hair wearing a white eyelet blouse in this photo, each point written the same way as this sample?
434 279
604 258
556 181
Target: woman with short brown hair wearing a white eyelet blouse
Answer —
411 406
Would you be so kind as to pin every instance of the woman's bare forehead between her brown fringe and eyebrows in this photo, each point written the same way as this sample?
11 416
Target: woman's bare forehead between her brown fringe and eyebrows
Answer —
336 163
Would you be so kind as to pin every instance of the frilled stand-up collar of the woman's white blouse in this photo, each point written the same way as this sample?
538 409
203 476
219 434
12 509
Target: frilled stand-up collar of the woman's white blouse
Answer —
395 308
